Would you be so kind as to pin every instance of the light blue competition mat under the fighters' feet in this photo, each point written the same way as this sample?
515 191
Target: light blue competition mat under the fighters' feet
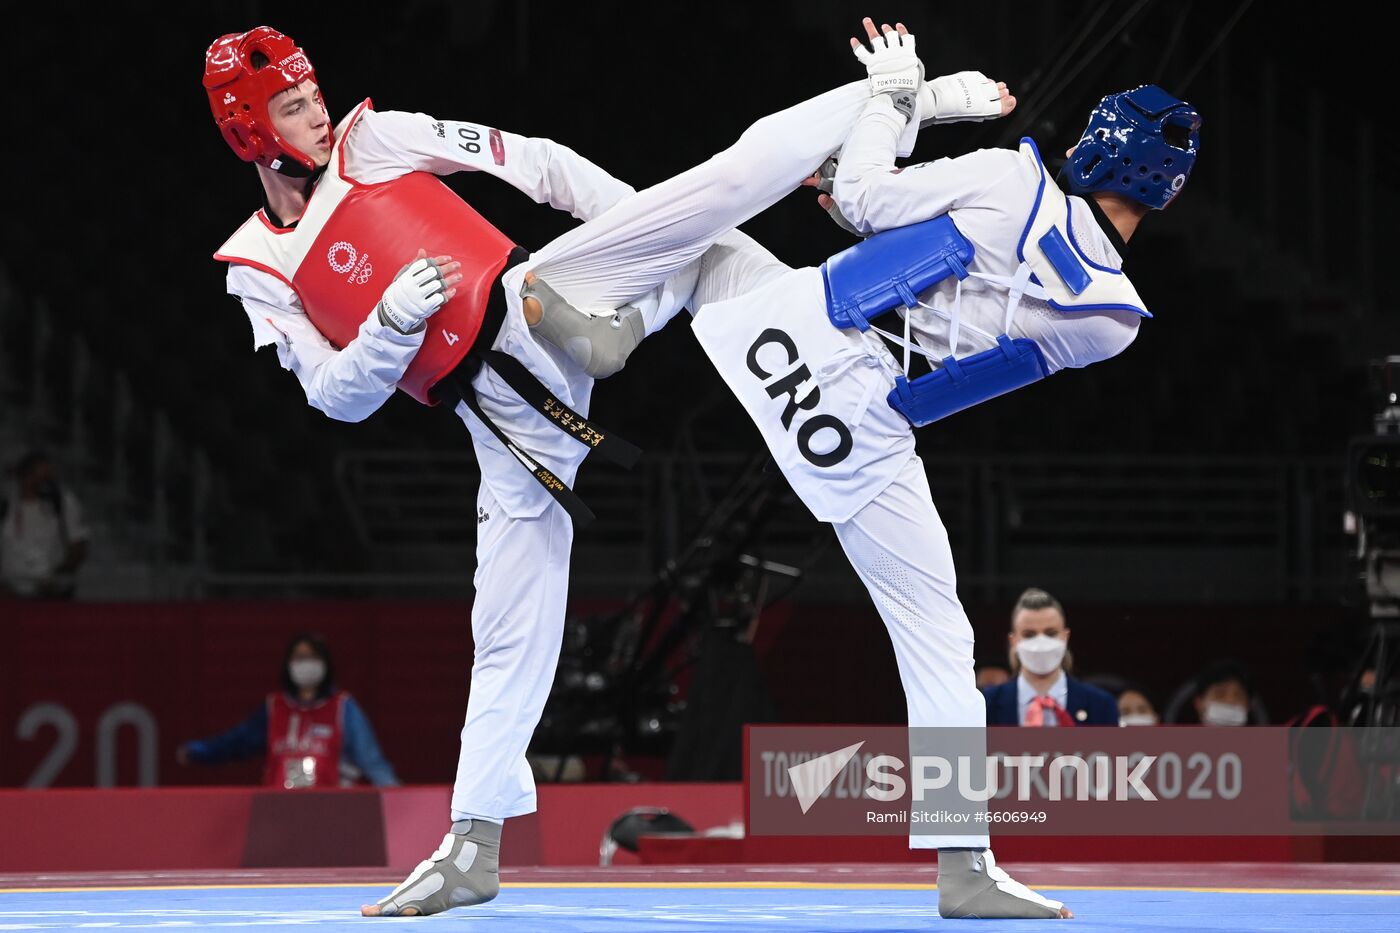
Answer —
673 910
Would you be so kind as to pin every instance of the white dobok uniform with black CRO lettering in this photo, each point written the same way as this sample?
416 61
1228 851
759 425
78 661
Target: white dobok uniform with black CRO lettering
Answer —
818 394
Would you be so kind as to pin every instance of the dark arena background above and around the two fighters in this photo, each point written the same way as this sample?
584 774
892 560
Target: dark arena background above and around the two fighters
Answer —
1266 278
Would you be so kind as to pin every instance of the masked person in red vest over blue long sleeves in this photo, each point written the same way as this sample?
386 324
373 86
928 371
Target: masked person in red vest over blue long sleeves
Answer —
313 733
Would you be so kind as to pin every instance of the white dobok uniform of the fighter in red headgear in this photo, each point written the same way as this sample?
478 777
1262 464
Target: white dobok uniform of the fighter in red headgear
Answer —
629 249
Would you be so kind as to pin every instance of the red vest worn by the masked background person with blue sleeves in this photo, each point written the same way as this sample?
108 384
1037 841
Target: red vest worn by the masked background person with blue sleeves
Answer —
304 745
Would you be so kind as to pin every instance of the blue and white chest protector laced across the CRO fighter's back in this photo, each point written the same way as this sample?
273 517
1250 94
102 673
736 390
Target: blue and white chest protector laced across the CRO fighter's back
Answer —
892 268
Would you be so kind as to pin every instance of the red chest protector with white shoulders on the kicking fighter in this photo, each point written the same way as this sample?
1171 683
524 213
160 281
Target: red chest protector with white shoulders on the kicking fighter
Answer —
353 239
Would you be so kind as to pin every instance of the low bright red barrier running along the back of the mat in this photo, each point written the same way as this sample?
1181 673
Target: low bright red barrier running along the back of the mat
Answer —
212 829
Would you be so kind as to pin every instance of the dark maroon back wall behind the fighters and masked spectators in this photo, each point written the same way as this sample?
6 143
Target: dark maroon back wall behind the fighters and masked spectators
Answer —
92 690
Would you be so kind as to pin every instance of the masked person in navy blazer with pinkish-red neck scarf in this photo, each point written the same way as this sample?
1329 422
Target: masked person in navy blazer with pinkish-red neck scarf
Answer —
1044 694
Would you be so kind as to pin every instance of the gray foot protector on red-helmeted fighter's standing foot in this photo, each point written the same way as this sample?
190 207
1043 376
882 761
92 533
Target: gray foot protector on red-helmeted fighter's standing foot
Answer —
464 871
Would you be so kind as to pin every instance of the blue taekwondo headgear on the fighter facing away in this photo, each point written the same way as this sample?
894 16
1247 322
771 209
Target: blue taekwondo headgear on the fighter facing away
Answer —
1140 145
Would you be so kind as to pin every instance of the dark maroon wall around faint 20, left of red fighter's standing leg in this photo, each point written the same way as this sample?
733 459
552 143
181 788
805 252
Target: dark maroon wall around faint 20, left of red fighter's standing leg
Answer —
202 668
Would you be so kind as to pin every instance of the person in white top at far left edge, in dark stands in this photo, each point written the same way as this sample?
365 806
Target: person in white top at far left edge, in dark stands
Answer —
43 537
